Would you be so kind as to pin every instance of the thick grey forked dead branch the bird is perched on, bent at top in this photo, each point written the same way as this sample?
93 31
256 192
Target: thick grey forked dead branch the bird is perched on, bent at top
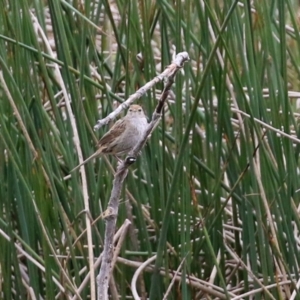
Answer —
122 169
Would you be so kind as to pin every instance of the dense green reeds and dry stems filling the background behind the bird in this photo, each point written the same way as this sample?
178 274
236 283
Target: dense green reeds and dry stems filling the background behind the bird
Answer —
215 193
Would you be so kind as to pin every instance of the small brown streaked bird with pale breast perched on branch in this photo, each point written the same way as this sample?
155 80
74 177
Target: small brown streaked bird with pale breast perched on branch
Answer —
123 135
